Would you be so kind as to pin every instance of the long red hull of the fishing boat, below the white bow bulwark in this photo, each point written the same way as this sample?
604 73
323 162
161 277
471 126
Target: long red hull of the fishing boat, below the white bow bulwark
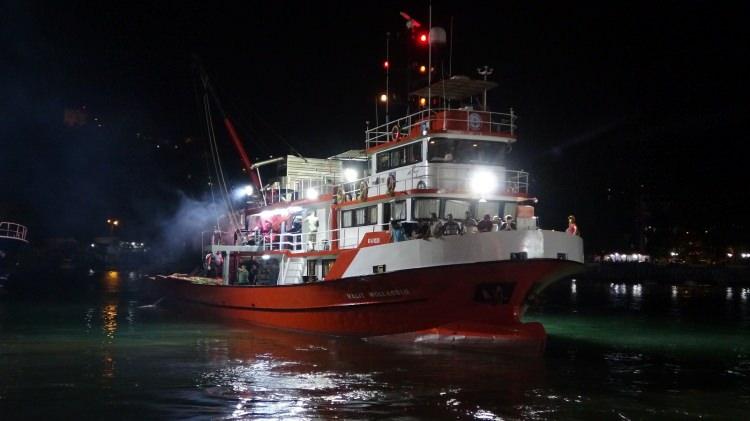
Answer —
484 298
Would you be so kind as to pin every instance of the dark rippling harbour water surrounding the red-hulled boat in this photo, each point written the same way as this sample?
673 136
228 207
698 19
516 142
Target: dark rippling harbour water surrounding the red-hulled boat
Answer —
93 347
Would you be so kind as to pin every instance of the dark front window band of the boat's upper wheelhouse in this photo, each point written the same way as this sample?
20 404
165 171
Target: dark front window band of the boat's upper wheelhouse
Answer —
465 151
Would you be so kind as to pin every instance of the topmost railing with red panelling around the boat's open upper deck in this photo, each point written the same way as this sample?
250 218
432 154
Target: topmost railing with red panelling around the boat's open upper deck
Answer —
441 120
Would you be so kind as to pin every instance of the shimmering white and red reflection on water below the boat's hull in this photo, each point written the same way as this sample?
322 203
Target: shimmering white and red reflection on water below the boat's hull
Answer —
263 372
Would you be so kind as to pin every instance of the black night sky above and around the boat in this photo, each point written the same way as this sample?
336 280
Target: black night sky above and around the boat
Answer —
622 107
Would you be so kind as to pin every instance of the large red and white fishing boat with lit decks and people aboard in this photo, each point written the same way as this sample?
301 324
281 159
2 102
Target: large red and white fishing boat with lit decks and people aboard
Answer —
422 235
